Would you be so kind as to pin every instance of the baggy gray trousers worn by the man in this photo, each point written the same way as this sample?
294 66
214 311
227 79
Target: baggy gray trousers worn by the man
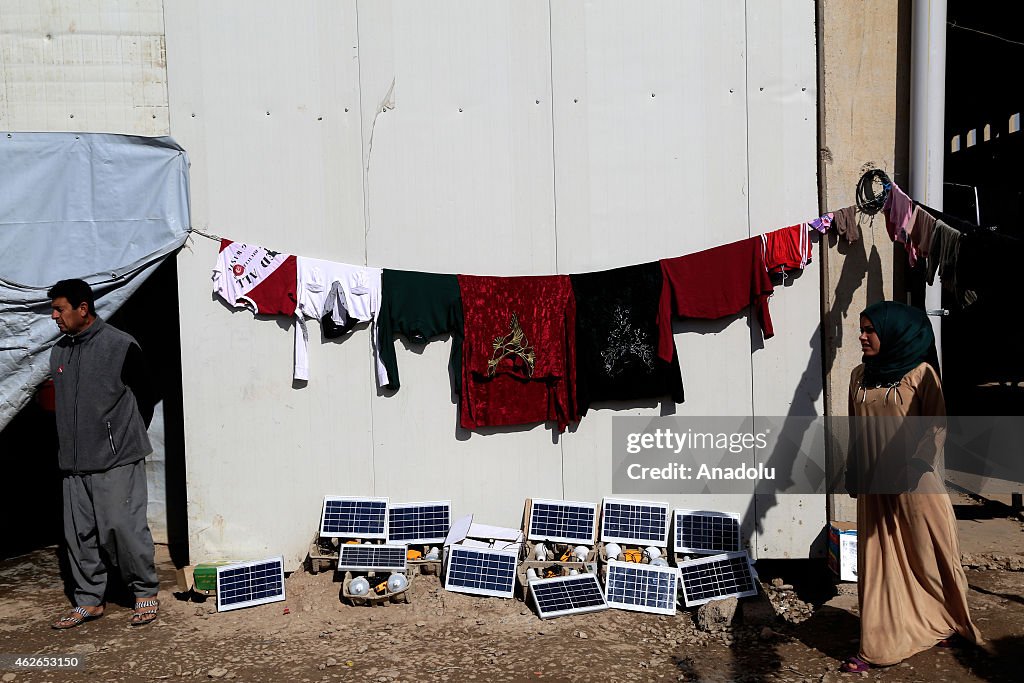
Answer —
108 510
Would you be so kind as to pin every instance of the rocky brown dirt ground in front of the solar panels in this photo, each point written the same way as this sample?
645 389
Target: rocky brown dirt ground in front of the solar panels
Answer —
799 630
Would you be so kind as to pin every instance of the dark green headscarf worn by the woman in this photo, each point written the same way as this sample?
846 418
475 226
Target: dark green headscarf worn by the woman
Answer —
907 341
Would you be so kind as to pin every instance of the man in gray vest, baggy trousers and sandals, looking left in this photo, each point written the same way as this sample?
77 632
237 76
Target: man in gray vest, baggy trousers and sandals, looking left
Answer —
104 407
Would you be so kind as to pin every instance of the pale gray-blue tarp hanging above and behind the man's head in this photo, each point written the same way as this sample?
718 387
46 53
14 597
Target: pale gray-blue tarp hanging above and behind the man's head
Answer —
104 208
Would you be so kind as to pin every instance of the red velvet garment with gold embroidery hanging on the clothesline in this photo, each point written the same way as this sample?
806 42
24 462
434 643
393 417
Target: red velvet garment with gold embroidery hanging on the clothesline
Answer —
520 352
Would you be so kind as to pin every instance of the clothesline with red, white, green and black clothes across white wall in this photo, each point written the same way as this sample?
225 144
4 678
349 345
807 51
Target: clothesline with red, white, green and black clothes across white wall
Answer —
526 350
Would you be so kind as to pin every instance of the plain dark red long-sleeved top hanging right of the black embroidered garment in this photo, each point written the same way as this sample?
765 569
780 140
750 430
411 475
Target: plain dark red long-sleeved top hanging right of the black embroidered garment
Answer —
713 284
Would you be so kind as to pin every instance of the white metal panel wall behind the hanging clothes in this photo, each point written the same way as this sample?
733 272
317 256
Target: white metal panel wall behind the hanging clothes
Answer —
521 138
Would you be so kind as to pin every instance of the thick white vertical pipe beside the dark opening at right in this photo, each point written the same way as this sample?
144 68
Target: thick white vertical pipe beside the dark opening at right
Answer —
928 146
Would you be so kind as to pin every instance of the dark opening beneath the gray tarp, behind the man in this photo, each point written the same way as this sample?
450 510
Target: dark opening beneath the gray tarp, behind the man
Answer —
32 506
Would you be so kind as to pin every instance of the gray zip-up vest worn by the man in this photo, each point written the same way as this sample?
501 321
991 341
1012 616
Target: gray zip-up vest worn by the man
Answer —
99 422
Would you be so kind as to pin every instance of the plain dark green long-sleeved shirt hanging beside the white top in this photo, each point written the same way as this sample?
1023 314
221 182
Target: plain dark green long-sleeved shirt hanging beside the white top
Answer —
421 307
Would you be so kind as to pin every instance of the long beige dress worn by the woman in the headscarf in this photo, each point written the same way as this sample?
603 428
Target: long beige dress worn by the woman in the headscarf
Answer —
913 590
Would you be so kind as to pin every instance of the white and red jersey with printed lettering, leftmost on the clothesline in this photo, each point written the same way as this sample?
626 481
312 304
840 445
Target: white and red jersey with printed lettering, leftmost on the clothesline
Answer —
254 278
